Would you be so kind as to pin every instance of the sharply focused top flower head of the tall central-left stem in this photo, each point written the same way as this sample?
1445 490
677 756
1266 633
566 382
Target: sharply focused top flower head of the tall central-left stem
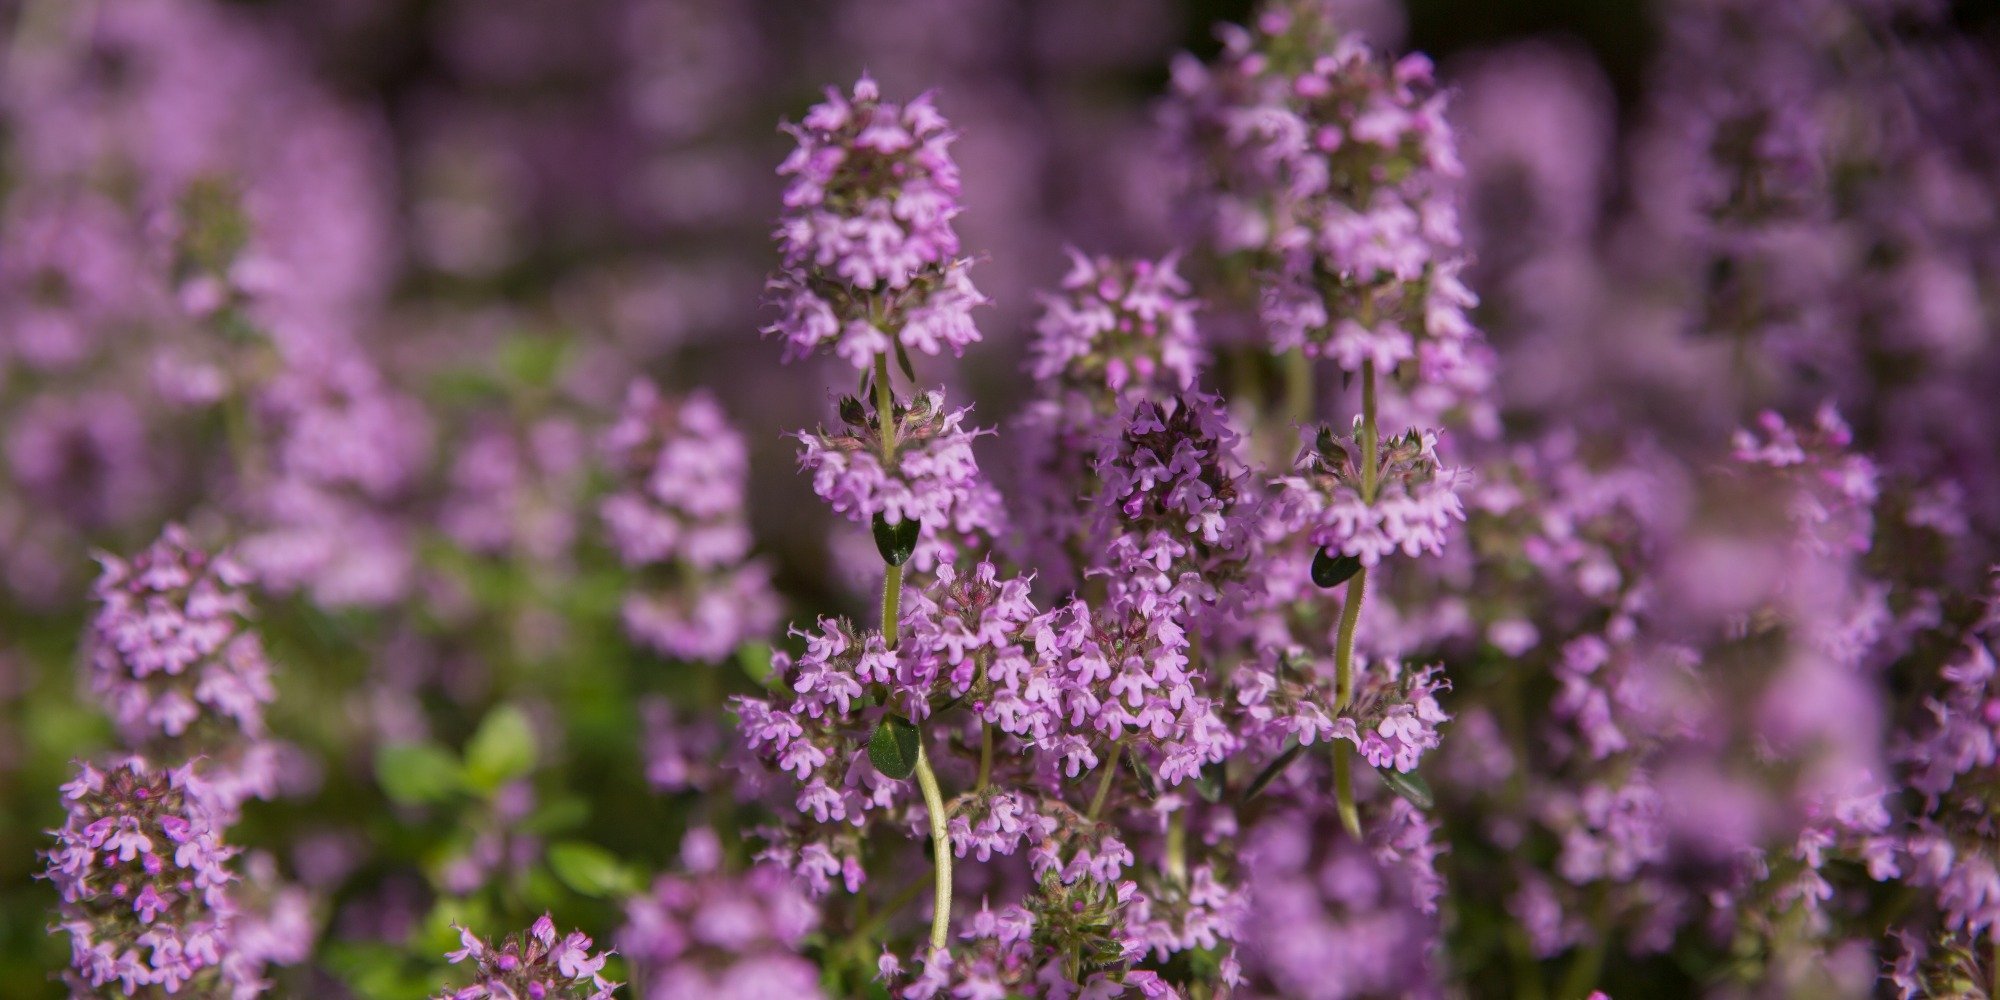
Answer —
871 257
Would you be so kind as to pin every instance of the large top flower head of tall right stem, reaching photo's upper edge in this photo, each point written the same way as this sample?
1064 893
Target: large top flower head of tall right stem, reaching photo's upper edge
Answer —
1331 171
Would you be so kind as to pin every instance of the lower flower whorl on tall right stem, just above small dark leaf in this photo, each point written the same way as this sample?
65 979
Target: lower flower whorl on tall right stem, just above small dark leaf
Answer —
1413 509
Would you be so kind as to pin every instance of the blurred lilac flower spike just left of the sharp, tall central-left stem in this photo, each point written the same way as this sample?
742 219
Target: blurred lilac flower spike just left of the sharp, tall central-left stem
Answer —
681 509
